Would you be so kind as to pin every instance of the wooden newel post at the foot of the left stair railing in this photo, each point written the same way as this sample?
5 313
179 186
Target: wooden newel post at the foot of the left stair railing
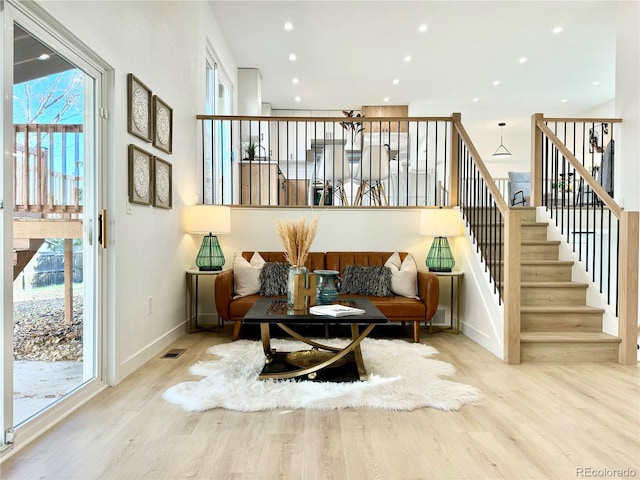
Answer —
511 285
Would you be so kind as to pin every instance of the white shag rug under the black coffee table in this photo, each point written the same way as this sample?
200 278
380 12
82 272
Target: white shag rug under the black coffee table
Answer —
401 377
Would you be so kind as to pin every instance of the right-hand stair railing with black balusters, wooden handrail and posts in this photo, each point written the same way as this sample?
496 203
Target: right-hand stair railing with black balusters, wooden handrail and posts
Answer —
600 232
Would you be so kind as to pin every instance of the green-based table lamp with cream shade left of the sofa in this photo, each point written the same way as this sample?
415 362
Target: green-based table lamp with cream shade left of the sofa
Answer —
207 220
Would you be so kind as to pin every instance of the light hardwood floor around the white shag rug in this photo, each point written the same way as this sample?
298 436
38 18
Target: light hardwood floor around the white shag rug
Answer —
541 421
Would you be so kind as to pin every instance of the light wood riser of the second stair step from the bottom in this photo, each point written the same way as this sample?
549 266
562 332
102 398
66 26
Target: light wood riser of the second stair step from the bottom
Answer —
560 322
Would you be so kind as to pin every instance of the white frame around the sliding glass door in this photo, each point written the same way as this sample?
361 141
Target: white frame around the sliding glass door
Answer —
39 23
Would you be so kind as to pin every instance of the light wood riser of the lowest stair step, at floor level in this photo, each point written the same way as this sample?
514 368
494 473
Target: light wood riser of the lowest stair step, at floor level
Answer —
569 352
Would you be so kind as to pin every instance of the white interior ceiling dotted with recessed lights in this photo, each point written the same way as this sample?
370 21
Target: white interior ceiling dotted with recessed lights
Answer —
349 52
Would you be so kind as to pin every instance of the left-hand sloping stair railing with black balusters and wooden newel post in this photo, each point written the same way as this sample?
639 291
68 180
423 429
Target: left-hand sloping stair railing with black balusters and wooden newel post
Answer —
495 229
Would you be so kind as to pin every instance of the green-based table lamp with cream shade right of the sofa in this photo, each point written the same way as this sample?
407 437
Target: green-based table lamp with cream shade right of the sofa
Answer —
440 223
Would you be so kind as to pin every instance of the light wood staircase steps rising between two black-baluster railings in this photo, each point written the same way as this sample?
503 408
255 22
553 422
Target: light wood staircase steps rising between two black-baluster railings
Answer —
556 324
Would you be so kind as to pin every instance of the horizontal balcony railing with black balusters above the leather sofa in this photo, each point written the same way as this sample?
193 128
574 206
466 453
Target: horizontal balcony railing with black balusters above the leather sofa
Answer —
331 161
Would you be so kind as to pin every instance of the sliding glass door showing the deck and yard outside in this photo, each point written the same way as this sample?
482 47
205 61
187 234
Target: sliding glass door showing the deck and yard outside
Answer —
53 321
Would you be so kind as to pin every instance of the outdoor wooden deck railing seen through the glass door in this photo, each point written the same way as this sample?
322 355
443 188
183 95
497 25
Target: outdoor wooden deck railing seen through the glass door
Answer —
48 168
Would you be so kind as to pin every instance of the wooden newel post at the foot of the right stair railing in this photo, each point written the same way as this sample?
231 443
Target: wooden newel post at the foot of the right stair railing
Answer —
628 284
